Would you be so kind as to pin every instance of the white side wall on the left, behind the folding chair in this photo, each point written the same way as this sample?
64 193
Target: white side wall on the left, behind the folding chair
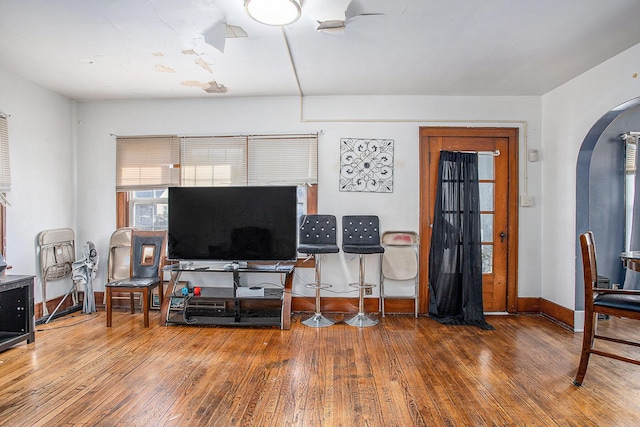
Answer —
42 154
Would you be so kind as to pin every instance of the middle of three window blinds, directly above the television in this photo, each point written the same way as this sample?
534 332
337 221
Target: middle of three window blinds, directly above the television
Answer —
213 161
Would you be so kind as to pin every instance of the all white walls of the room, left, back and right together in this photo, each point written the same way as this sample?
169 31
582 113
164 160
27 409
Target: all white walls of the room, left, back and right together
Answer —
45 144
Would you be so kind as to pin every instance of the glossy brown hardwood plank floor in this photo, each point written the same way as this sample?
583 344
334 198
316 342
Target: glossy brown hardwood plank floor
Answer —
403 372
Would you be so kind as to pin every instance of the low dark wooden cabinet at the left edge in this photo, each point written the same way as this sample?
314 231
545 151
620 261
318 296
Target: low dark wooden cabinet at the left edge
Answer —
16 311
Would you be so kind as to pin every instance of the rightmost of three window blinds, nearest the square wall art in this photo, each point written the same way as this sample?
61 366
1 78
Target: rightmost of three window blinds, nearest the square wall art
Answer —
283 159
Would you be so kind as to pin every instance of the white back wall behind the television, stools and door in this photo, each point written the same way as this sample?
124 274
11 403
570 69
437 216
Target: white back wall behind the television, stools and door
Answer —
397 118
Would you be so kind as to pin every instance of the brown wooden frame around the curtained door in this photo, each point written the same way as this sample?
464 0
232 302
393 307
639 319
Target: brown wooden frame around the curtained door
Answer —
426 210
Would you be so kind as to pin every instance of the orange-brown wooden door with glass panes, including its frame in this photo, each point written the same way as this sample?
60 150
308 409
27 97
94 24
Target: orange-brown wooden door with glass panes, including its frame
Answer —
498 155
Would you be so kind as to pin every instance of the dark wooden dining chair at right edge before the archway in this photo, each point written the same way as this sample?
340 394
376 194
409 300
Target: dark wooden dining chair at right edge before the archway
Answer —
612 302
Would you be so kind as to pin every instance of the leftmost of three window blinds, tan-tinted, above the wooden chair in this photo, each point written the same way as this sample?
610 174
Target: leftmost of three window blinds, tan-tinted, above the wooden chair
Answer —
147 162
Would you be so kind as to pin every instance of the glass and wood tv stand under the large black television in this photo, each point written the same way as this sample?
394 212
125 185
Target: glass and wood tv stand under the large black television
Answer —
218 305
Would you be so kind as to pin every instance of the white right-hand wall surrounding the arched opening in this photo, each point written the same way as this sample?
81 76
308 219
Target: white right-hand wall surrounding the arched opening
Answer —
569 112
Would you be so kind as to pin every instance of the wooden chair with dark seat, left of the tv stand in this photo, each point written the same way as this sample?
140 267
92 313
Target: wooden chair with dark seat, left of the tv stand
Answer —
147 253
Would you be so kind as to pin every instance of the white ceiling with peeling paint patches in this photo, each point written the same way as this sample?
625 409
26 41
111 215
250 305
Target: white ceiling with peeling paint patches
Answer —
112 49
